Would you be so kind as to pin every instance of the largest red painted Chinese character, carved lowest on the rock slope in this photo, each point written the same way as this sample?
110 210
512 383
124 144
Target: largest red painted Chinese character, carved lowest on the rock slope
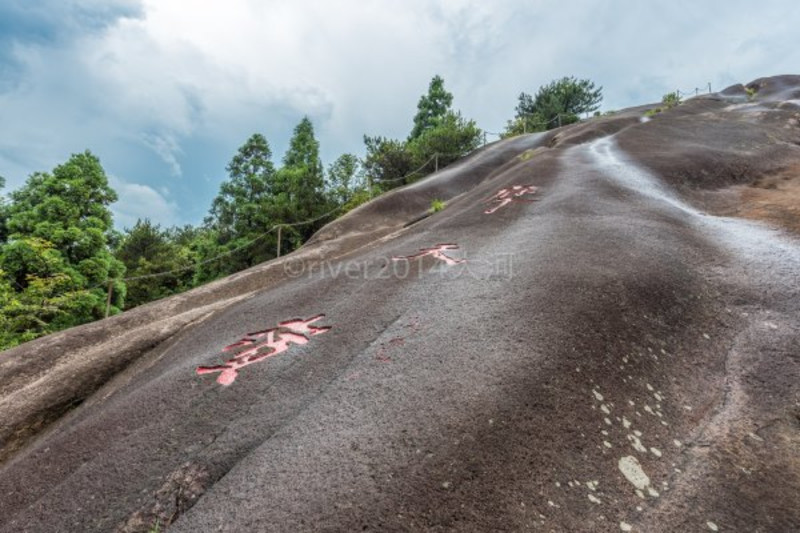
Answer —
263 344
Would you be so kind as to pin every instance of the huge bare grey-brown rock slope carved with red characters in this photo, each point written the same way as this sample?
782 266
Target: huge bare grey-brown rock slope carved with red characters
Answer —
615 348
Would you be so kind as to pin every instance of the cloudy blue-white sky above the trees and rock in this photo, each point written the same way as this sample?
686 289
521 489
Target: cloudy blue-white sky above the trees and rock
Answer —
165 91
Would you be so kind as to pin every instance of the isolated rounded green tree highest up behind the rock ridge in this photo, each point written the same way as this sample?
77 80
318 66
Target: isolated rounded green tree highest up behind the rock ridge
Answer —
556 104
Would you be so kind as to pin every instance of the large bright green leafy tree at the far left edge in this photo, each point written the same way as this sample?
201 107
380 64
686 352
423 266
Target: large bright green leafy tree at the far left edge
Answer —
56 259
